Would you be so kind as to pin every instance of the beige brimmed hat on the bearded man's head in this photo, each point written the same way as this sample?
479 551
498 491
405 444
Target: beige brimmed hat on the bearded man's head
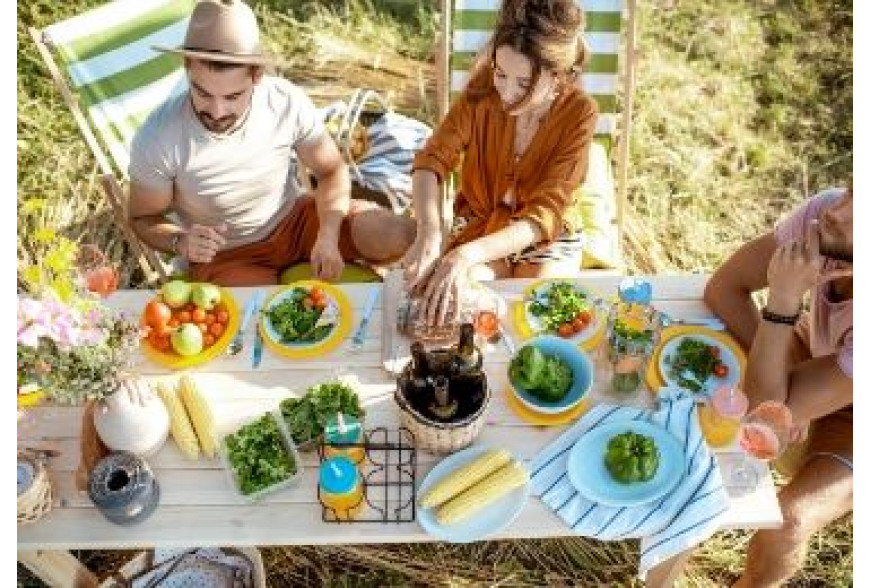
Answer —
222 30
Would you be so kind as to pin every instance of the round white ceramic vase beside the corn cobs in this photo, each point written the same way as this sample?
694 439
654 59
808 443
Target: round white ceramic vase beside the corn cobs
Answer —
132 419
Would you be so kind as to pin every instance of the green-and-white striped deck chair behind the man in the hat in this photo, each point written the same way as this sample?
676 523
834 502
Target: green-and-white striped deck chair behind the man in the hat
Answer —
111 79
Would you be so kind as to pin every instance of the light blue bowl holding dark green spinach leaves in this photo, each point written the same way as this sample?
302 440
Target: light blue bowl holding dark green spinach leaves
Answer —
580 365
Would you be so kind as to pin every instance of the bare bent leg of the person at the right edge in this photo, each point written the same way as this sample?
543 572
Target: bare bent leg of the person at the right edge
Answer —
820 493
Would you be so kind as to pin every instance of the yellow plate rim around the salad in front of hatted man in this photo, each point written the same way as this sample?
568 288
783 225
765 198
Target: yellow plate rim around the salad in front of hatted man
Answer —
301 351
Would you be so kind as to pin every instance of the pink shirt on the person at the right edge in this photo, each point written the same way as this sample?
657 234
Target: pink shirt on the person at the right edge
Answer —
827 329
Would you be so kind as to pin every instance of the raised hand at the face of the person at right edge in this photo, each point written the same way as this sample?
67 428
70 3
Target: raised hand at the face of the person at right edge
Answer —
795 267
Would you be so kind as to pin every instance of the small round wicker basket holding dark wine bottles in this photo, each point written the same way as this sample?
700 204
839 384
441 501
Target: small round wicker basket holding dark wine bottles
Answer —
439 437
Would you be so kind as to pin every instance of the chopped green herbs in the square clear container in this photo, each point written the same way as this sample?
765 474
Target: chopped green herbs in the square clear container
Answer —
258 457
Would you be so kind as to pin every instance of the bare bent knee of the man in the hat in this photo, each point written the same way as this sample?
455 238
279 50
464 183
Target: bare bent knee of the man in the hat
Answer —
381 236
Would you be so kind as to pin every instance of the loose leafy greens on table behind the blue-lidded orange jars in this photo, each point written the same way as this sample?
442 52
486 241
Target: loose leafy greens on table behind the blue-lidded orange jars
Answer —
306 417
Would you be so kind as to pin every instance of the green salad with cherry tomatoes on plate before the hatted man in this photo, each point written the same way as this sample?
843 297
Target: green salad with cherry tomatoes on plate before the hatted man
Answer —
295 317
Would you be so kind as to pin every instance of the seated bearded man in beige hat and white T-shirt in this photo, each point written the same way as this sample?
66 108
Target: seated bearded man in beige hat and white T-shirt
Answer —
221 156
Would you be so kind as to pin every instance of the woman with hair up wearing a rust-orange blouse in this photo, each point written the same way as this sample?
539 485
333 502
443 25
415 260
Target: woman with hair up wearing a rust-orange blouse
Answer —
522 130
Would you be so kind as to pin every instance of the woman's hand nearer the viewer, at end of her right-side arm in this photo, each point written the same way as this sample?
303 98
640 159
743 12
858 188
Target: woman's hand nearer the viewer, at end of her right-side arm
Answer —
444 287
